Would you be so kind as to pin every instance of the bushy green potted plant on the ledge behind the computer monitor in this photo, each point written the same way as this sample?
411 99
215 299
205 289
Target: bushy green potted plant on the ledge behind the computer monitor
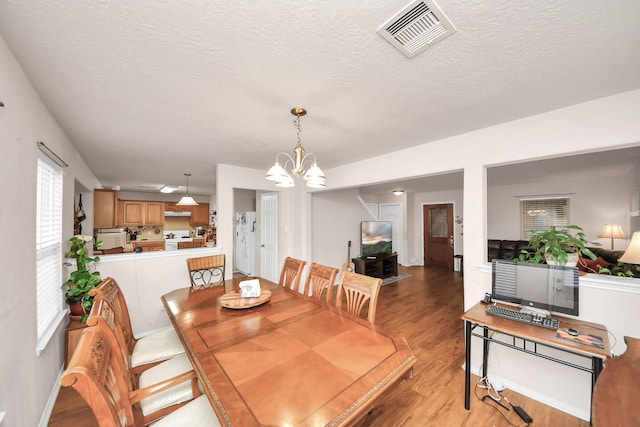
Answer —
561 246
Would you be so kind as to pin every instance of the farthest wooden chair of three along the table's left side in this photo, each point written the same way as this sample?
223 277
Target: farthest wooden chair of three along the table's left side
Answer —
153 348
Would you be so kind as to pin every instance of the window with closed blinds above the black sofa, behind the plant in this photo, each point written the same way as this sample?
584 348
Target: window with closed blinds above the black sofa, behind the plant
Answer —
541 214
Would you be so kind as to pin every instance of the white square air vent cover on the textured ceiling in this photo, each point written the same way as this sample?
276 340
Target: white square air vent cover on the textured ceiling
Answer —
416 27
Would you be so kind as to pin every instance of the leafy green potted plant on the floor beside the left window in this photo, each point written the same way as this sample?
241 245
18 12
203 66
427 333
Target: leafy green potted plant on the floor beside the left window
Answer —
83 279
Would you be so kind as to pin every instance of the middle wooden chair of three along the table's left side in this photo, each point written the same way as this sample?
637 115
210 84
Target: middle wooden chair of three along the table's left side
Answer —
103 318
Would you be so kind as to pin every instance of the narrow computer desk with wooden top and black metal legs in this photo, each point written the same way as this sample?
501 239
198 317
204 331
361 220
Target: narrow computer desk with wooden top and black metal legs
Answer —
534 336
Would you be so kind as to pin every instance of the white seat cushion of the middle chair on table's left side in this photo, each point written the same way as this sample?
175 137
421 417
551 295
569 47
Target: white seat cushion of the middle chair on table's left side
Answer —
164 371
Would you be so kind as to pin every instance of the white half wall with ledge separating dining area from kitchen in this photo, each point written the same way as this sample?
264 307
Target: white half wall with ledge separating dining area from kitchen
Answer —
144 277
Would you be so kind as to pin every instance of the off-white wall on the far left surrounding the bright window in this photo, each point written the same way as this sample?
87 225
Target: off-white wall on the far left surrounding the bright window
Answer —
26 381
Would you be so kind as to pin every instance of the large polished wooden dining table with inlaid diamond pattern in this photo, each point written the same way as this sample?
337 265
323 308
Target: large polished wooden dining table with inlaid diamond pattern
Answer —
290 361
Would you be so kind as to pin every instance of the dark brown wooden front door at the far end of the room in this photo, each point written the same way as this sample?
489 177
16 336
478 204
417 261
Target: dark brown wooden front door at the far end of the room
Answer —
438 235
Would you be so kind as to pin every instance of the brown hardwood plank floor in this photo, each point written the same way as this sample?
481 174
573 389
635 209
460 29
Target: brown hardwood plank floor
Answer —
425 309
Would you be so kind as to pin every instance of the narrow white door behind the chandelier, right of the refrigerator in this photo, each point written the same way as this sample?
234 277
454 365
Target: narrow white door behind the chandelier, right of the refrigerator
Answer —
269 236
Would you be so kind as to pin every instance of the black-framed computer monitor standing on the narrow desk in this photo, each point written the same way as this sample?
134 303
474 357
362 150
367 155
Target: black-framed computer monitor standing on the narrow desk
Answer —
552 288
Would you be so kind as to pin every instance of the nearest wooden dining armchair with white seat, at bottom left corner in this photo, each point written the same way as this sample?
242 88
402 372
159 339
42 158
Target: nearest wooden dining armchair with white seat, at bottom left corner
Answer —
95 371
